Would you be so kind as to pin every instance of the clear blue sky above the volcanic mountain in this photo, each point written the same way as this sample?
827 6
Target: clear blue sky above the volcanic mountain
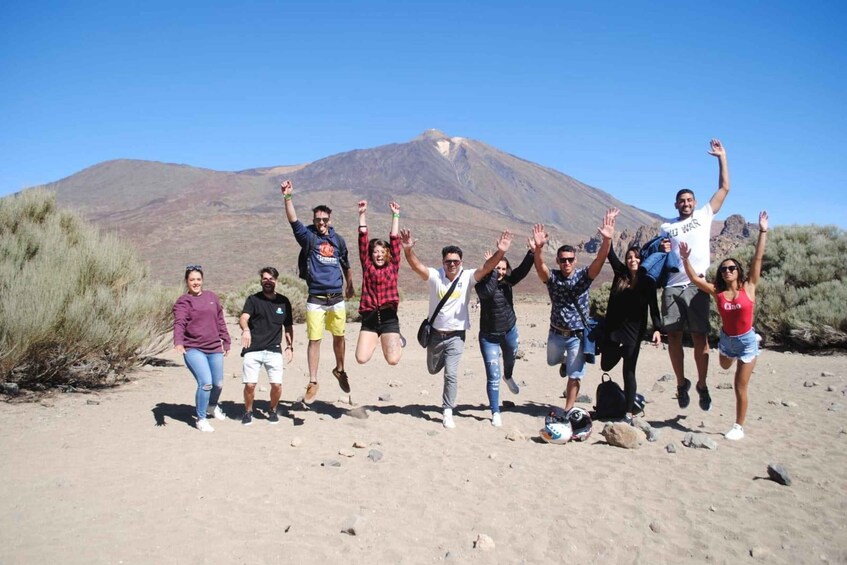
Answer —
621 95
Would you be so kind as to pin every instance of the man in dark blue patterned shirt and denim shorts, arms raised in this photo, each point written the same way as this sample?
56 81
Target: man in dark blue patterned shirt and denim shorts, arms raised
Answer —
568 289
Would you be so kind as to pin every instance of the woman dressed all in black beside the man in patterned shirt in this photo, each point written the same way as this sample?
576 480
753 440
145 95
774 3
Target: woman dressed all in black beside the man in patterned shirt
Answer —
626 320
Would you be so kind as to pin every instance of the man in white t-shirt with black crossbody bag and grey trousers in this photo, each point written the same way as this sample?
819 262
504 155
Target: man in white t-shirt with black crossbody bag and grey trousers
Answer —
448 336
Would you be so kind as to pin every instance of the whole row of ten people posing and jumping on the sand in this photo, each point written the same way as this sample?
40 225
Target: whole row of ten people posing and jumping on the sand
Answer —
678 263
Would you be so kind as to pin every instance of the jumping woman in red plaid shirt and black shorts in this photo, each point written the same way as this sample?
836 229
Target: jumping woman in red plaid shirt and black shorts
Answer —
380 298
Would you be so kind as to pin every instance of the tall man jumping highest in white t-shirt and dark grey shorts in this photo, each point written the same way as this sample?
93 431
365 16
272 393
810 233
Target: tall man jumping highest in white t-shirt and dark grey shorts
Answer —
683 305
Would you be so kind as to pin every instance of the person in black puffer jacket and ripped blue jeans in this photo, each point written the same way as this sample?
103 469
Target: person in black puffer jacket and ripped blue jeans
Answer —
498 332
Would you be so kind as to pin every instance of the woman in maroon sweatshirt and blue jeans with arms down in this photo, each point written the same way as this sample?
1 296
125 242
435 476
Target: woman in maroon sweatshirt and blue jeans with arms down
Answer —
201 336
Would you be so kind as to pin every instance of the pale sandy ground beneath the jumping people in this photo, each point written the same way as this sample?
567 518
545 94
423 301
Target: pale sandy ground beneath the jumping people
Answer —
122 476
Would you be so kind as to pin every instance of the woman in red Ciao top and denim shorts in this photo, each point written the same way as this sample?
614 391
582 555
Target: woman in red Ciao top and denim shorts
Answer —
736 298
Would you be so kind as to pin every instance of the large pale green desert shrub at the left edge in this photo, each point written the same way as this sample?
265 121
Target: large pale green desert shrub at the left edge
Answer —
77 308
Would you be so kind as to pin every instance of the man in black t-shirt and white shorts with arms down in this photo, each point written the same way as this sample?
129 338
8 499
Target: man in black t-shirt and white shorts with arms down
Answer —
262 320
